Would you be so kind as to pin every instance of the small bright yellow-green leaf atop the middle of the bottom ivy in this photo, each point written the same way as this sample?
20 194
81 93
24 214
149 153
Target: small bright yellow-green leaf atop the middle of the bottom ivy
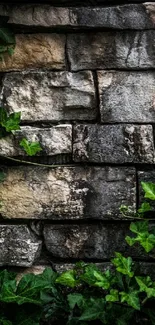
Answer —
68 278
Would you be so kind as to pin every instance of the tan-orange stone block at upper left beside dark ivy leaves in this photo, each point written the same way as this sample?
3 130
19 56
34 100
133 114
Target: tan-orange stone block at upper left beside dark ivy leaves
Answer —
35 51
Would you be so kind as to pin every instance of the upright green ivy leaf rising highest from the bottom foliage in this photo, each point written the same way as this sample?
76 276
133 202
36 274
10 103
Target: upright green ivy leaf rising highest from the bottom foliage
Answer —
123 264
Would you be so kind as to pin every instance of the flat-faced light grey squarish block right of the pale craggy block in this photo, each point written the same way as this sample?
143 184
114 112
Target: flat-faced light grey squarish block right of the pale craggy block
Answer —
127 96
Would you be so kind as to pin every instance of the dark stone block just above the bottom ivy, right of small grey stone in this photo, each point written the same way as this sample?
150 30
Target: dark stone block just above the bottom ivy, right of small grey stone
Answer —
98 241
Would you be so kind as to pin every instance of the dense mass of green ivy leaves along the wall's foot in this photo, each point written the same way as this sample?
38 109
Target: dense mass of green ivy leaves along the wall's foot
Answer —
81 296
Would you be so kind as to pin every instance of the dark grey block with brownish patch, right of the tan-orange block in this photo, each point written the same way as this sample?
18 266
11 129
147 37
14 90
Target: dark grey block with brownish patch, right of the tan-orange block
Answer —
110 50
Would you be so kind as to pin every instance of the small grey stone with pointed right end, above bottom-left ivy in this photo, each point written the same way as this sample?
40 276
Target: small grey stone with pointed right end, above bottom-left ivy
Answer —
18 246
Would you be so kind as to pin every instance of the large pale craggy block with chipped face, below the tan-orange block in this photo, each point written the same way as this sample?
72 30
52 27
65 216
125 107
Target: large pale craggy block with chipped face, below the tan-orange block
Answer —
50 96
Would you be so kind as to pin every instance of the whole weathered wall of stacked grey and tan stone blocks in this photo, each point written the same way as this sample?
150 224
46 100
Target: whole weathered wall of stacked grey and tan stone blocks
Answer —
83 76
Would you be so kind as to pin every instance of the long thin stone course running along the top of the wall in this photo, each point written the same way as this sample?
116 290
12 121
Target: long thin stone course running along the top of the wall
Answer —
120 17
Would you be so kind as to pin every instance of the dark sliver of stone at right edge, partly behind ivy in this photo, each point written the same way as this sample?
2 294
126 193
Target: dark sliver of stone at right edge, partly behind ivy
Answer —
147 175
